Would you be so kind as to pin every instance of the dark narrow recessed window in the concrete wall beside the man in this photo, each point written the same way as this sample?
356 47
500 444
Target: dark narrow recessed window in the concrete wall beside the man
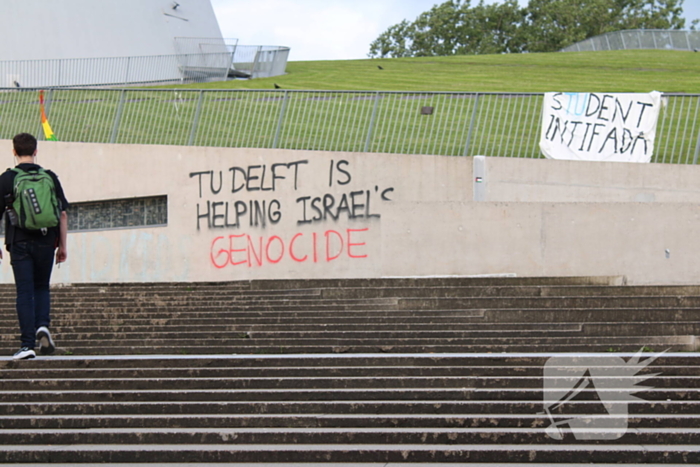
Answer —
118 213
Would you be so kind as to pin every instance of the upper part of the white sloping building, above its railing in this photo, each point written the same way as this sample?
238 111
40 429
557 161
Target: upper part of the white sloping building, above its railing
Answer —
70 29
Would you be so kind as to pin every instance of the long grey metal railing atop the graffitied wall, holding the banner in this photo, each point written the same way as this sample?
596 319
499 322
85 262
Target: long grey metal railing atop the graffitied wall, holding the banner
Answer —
436 123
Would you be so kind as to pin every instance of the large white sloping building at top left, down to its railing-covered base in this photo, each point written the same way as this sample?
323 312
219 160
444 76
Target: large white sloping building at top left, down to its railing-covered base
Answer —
99 42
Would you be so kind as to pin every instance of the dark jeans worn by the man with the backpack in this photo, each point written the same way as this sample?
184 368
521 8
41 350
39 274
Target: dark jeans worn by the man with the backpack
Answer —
31 264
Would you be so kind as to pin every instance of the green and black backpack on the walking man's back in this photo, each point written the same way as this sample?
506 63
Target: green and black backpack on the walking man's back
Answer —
35 201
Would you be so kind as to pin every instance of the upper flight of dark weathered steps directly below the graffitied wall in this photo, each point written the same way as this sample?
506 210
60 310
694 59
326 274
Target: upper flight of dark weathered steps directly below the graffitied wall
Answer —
351 316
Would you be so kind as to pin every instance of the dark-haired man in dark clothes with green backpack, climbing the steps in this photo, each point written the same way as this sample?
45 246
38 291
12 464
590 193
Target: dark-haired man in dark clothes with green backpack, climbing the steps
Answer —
32 249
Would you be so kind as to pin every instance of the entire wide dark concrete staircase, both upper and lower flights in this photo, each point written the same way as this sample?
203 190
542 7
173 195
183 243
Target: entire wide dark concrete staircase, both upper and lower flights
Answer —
441 370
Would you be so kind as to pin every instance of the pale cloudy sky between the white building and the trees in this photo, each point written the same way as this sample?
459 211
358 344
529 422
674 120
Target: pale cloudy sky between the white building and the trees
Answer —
328 29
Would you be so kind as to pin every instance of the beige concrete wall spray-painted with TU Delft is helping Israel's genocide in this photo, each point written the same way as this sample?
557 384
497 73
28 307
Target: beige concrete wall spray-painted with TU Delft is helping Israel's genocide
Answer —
323 214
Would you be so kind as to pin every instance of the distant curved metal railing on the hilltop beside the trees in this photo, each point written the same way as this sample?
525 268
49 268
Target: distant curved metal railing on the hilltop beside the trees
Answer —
639 39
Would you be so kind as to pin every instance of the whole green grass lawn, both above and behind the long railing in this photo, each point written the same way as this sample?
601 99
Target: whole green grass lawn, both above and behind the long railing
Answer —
310 112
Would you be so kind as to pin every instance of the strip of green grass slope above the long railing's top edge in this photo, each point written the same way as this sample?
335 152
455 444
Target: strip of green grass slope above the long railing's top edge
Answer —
615 71
